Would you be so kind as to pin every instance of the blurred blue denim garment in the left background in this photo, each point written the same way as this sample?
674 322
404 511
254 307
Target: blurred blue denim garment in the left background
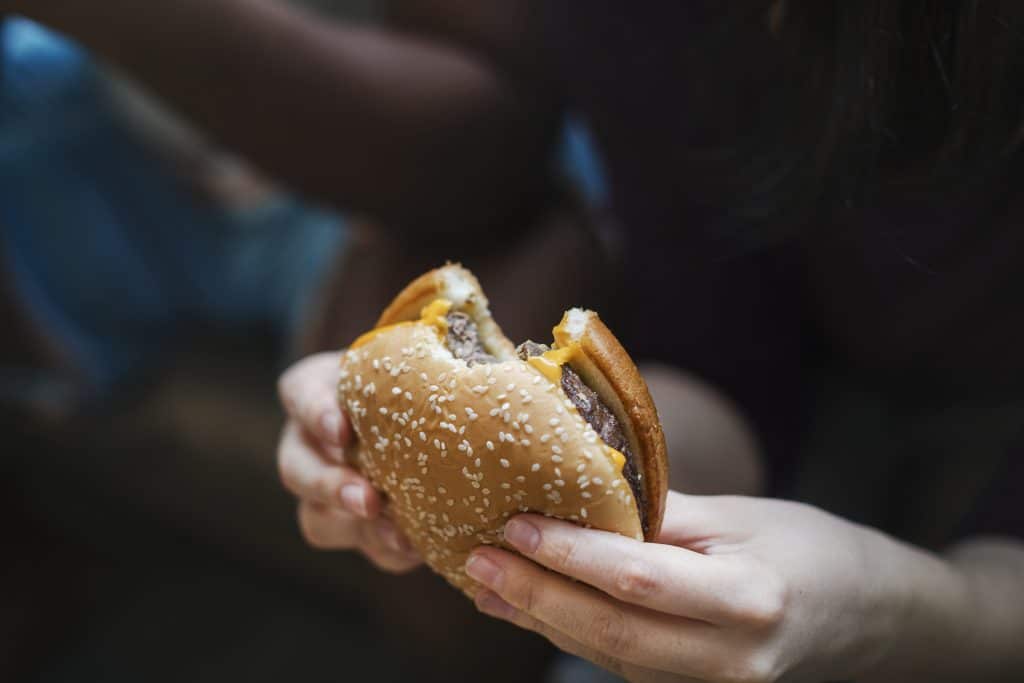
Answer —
108 249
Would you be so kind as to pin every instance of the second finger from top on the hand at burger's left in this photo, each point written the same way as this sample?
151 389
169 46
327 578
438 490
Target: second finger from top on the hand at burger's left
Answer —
308 476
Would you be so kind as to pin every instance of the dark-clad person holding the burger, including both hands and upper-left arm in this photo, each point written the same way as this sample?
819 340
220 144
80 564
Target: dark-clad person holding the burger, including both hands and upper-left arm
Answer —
820 216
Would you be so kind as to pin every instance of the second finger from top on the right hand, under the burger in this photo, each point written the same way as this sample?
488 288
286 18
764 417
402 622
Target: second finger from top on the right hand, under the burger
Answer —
599 622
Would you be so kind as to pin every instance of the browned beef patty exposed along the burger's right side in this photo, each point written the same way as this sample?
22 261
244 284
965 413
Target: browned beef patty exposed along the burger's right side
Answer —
602 420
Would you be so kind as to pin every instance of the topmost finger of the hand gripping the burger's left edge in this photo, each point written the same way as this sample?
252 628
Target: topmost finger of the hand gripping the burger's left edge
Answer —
309 393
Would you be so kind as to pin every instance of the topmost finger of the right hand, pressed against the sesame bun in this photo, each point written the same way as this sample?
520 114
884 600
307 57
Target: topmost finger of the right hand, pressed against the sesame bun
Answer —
666 579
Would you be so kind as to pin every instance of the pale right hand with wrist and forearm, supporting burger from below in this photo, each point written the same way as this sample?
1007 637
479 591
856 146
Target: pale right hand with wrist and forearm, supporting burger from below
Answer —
743 589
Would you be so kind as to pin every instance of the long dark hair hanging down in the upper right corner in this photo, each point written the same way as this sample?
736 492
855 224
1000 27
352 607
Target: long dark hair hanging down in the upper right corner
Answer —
926 95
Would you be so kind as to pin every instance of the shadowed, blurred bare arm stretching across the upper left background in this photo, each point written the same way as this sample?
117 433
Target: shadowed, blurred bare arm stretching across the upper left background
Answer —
406 130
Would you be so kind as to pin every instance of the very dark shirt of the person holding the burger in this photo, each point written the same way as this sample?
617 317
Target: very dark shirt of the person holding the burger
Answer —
903 291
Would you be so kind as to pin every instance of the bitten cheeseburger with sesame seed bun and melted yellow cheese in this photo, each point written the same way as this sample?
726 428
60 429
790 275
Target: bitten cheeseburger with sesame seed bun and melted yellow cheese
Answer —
461 430
